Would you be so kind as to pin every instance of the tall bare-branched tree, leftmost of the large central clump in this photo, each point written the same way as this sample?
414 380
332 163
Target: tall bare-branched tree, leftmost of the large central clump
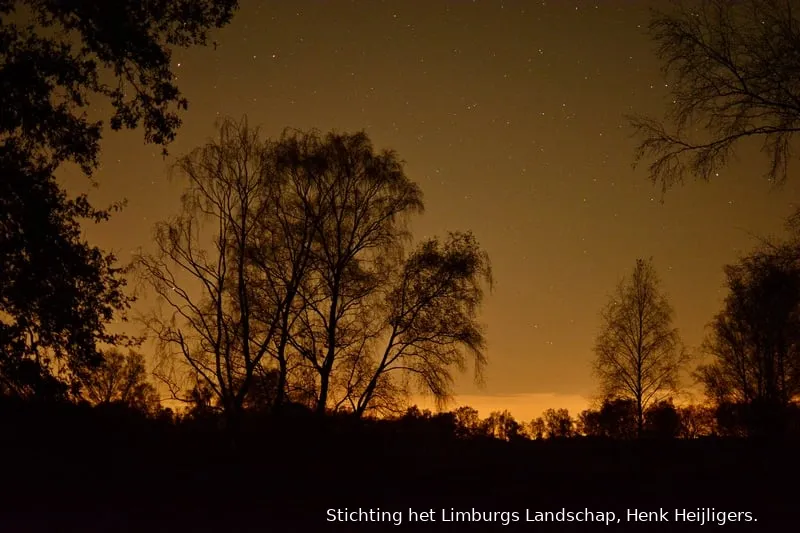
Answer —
215 326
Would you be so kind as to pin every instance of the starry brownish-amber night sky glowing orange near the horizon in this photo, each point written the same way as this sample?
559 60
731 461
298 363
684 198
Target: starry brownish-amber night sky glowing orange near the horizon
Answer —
510 116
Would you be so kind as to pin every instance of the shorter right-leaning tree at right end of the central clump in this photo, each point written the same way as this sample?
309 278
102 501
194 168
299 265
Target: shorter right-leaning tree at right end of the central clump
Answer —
431 319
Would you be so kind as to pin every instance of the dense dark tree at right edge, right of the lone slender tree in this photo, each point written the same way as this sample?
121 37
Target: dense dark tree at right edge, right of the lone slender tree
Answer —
755 340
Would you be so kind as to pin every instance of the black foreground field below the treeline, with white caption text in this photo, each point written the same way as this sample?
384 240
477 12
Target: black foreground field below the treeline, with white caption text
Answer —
68 473
